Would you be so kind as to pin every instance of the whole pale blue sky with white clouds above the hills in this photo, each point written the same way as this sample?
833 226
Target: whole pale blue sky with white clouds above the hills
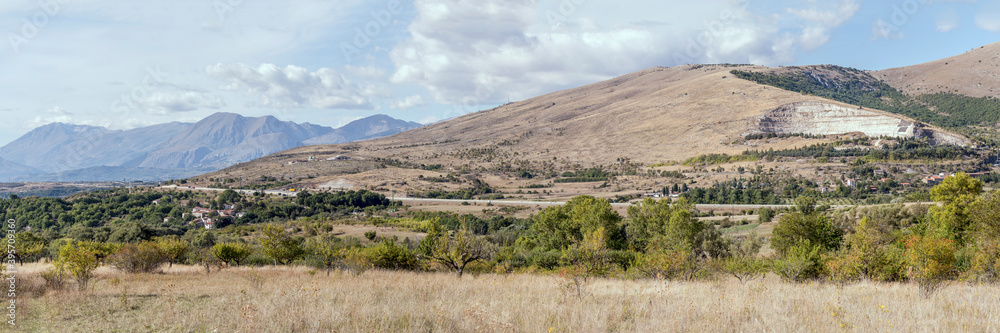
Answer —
125 64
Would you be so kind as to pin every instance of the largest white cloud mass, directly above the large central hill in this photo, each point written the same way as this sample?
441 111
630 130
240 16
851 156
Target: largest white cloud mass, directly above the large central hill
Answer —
472 53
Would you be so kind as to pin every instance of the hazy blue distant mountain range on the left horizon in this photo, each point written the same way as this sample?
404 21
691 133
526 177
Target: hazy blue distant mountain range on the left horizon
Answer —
65 152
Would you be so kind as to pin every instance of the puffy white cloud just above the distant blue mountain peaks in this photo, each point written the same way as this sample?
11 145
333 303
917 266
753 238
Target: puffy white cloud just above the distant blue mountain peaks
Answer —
296 87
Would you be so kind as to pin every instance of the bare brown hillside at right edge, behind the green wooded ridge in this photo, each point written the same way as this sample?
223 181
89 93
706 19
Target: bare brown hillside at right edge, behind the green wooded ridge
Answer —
975 73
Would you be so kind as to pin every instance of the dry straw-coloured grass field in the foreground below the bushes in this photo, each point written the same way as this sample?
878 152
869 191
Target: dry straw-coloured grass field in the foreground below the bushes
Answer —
291 299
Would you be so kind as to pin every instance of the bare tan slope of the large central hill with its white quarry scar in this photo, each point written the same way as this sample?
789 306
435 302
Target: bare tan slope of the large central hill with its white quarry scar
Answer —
651 116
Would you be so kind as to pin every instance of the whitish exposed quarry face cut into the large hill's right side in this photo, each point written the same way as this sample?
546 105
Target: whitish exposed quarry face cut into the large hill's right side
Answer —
829 119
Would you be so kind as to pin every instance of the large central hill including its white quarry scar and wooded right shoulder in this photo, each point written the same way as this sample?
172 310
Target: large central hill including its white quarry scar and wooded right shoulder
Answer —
623 135
